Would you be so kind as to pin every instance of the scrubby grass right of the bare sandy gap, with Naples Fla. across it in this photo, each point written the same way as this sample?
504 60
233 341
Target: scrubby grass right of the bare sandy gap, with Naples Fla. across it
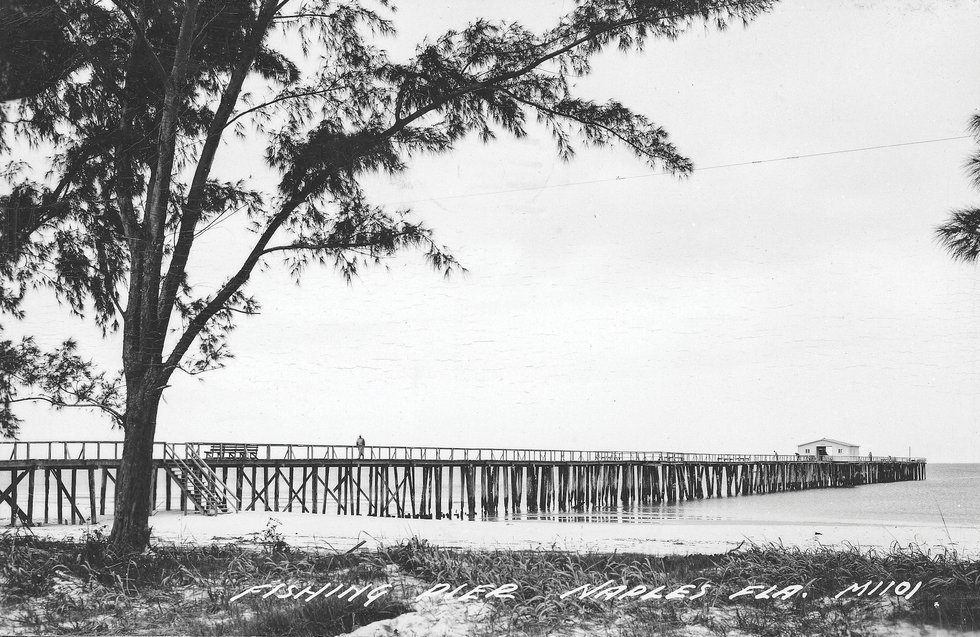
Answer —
949 595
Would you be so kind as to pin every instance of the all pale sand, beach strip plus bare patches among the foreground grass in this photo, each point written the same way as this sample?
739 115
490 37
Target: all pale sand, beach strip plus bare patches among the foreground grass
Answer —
452 618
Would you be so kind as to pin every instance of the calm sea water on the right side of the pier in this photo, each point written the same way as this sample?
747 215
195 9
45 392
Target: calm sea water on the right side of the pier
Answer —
950 492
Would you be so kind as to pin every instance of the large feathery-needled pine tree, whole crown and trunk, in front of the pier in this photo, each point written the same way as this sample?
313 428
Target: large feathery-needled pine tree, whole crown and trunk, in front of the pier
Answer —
137 128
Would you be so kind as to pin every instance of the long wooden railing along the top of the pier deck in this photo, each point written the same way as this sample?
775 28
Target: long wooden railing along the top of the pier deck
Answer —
112 450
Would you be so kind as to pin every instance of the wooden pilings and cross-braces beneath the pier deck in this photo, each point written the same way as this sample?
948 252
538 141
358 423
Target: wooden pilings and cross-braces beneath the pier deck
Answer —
487 487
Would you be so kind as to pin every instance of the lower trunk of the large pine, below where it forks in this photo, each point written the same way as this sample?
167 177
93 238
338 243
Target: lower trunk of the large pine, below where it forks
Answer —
130 526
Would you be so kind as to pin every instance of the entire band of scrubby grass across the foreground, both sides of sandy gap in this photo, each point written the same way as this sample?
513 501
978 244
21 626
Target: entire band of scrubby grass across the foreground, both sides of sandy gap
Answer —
56 587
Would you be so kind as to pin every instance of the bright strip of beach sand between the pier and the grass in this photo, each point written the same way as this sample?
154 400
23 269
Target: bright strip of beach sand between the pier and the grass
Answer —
660 538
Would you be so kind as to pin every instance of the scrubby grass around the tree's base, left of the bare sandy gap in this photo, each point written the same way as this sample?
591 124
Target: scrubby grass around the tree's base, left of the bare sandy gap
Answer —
56 587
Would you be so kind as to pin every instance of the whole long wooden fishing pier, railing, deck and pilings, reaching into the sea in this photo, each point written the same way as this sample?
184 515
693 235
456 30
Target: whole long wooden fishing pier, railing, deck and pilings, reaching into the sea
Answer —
71 482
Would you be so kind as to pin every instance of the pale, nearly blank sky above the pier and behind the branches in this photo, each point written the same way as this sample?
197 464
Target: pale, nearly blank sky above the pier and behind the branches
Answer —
747 308
